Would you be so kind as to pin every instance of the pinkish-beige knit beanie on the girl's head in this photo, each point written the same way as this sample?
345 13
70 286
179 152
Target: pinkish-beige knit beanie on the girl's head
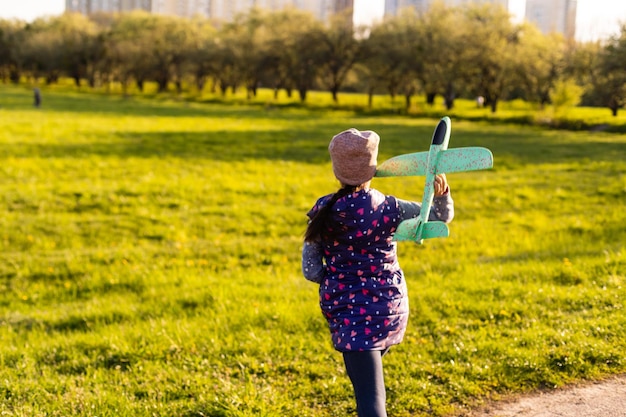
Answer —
353 154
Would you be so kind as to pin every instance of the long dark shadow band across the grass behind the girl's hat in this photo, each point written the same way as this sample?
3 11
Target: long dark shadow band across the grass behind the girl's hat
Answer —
309 144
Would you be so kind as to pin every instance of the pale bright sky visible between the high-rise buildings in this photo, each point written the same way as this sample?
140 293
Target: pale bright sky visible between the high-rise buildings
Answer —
596 18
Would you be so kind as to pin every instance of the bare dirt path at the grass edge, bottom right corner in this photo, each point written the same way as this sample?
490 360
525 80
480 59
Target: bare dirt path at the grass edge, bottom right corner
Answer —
596 399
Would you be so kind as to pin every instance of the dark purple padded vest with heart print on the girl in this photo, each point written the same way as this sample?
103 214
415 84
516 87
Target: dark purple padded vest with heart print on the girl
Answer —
363 294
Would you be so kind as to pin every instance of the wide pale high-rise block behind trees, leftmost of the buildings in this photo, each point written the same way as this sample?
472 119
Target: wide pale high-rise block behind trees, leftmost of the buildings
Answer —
215 9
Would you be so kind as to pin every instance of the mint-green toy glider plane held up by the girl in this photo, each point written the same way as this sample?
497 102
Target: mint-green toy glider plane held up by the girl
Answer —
439 159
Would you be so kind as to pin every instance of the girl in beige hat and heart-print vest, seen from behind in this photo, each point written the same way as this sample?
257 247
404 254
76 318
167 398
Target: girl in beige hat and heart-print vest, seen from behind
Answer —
349 250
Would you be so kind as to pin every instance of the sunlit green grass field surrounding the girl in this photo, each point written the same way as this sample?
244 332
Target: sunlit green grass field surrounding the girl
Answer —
150 261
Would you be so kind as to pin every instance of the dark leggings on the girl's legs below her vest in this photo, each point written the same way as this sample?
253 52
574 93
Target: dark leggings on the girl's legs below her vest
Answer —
365 370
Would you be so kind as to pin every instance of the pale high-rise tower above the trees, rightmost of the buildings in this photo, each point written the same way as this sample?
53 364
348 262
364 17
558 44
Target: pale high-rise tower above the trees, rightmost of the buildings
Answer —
553 16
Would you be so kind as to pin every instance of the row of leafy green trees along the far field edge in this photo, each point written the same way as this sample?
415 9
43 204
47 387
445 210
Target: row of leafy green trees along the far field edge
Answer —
453 52
